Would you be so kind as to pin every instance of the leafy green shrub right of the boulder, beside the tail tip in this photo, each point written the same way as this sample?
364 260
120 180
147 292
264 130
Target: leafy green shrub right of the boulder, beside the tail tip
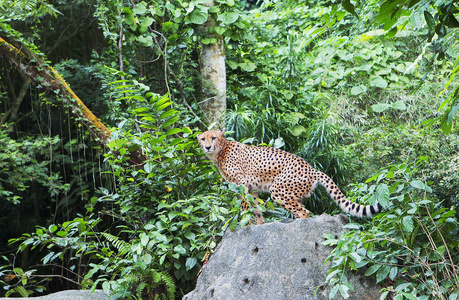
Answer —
412 247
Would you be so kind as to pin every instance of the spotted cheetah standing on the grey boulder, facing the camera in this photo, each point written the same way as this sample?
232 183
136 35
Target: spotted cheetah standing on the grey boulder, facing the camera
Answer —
288 177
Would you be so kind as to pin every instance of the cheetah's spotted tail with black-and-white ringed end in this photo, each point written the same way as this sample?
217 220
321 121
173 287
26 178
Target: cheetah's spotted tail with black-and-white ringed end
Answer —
358 210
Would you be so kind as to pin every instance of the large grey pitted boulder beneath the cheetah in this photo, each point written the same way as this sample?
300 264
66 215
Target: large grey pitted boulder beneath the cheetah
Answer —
276 261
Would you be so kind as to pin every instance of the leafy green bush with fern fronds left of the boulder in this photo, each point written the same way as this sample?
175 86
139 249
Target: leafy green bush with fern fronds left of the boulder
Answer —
166 215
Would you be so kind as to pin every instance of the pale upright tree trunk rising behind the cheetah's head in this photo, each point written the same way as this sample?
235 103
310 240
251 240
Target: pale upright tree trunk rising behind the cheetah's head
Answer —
213 71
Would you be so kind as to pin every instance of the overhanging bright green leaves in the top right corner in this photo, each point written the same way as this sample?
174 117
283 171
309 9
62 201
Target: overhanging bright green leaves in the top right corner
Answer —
437 20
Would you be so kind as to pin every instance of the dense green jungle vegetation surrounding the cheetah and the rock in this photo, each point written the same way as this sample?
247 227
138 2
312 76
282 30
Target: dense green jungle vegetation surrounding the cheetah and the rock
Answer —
122 199
